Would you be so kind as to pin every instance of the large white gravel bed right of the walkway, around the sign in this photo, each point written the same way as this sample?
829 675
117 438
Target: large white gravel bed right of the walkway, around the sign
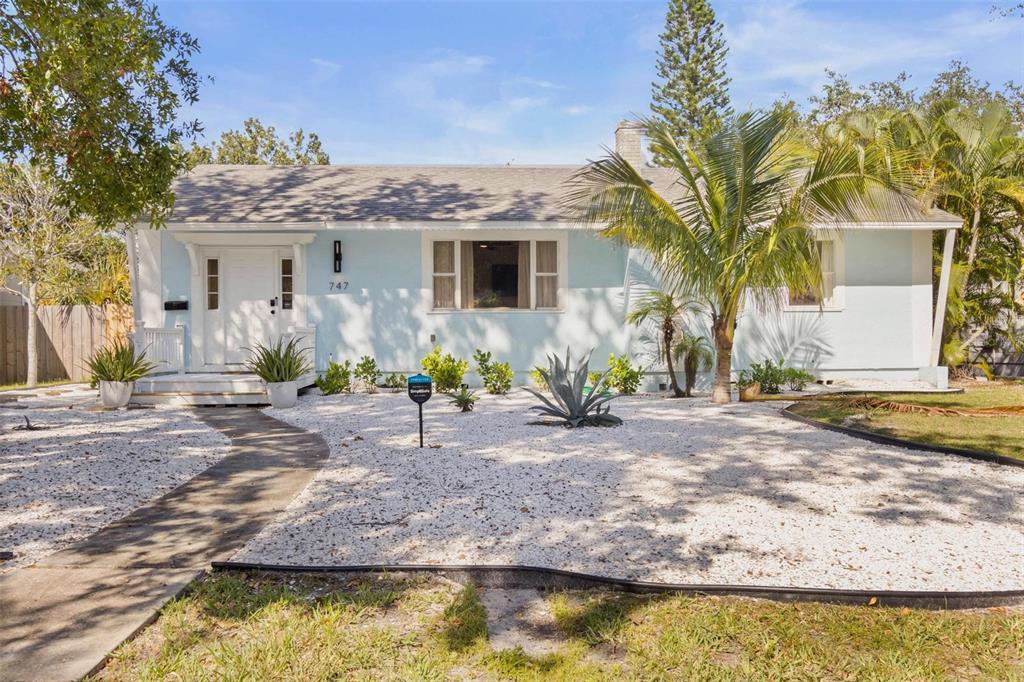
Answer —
685 492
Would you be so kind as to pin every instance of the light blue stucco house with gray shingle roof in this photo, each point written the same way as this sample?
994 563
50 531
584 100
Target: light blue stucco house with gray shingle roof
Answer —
390 262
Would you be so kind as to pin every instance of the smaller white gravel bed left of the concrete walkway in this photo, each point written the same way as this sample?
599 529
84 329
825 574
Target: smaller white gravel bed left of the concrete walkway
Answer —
84 470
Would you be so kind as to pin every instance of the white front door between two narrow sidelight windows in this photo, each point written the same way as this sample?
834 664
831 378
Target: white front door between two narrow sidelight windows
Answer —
249 309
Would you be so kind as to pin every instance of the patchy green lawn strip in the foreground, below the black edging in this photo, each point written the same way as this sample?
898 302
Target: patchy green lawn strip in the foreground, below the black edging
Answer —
289 627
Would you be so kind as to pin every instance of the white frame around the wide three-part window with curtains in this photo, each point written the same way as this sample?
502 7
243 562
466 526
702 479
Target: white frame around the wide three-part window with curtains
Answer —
477 235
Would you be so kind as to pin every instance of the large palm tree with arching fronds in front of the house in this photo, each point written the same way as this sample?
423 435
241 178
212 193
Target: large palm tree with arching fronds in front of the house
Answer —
738 222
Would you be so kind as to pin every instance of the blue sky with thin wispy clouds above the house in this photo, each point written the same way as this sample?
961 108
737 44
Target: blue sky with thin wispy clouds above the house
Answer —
542 82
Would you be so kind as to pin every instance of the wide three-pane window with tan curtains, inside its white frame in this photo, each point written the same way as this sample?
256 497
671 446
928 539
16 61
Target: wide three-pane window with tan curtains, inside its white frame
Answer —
496 275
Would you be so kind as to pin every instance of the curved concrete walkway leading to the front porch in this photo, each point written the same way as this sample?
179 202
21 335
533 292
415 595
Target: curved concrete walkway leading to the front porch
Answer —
61 618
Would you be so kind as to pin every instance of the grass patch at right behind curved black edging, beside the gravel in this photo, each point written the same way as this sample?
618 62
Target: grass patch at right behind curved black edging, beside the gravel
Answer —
1002 436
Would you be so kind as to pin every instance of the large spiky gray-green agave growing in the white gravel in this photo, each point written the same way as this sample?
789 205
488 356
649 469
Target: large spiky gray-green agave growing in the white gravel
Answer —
570 403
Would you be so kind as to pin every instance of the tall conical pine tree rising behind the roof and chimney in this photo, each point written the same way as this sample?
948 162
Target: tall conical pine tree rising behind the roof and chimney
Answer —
692 94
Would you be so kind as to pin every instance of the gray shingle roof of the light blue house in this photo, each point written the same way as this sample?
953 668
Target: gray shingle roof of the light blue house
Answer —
386 194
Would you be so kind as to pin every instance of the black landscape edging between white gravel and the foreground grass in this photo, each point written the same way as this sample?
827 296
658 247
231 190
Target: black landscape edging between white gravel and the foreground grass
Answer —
498 577
